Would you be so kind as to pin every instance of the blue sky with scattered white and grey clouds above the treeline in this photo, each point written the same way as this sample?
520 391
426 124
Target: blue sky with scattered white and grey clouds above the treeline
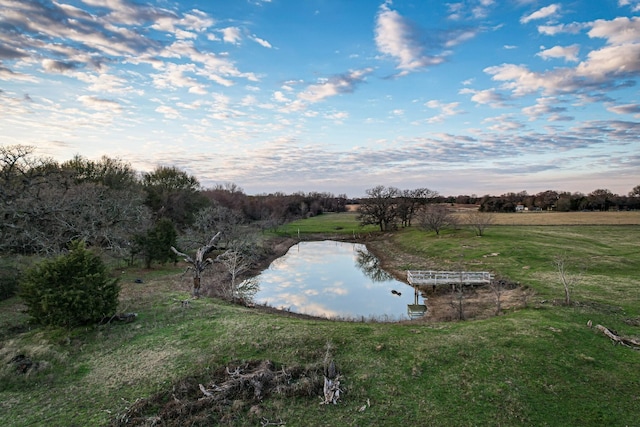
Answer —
462 97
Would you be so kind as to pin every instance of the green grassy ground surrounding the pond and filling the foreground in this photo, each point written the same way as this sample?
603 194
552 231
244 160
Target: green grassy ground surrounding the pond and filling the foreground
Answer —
539 365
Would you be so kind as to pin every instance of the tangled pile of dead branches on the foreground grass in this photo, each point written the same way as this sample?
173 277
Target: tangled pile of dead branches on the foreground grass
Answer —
228 392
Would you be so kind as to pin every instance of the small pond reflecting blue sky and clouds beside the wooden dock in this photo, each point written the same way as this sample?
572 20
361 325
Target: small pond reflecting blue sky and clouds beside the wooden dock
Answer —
335 280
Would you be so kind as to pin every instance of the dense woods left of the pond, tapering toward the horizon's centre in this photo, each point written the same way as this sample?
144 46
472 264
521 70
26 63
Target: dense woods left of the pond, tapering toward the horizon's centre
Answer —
45 205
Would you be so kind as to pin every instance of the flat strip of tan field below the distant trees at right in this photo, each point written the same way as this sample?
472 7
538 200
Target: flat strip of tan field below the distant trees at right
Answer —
568 218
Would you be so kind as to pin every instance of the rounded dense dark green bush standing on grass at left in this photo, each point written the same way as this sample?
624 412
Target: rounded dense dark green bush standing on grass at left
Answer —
72 289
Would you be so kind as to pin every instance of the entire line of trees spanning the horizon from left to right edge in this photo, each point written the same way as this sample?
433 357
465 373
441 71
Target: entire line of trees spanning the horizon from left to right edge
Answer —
45 205
